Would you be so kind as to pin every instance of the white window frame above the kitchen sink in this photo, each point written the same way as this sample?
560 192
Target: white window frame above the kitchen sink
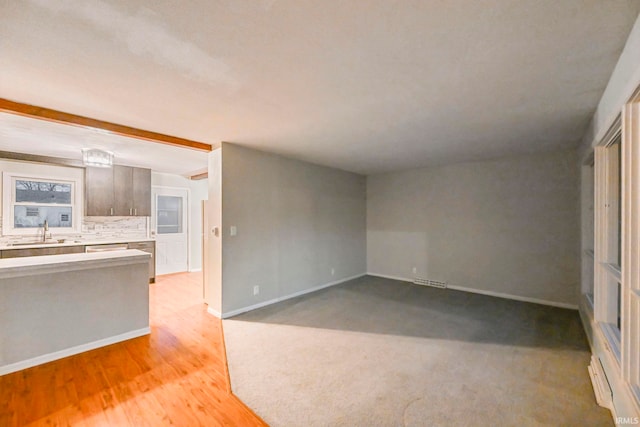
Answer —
8 203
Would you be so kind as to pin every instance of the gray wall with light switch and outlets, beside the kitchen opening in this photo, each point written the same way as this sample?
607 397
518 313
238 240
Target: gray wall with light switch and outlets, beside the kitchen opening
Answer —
295 222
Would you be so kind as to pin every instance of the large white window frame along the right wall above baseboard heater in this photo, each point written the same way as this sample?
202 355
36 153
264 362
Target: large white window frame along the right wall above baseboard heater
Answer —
626 343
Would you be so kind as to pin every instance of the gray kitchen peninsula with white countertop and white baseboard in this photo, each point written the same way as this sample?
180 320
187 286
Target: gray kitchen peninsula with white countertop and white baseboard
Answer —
54 306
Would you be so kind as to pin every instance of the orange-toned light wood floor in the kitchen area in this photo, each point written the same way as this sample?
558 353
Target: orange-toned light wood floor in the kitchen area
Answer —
176 376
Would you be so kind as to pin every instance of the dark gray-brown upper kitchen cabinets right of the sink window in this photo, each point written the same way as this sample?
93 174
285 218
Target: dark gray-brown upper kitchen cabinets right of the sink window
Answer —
117 191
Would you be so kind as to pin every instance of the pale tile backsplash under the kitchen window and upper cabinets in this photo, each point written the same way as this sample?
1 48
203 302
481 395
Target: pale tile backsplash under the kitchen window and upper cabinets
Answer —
94 228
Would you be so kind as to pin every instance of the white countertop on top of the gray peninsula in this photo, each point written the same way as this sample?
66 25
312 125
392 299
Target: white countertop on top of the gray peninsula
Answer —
22 266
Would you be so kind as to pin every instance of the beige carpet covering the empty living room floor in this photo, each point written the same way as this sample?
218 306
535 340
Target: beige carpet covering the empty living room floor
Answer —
378 352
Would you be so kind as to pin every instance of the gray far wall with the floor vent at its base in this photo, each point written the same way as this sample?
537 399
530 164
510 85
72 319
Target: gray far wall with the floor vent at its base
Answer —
509 226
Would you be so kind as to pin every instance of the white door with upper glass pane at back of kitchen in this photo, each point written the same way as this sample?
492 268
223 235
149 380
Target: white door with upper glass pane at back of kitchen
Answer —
171 224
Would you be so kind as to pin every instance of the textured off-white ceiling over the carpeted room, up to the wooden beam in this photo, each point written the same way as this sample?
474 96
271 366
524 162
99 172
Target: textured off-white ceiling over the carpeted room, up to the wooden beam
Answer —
366 86
